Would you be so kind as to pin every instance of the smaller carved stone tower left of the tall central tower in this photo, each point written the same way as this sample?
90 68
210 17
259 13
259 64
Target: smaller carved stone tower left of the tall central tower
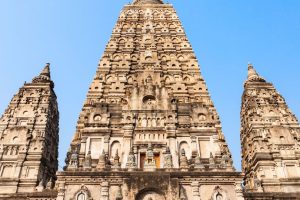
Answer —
29 138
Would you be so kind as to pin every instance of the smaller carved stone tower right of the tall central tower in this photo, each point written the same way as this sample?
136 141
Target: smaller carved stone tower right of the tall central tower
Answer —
270 138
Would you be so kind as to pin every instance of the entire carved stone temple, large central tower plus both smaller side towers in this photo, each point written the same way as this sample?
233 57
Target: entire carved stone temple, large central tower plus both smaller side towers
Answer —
148 129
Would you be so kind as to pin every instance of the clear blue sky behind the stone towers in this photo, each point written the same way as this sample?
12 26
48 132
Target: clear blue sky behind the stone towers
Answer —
225 35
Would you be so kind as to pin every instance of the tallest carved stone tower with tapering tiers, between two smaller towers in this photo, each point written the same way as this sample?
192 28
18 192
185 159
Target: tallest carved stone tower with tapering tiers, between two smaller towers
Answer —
148 128
